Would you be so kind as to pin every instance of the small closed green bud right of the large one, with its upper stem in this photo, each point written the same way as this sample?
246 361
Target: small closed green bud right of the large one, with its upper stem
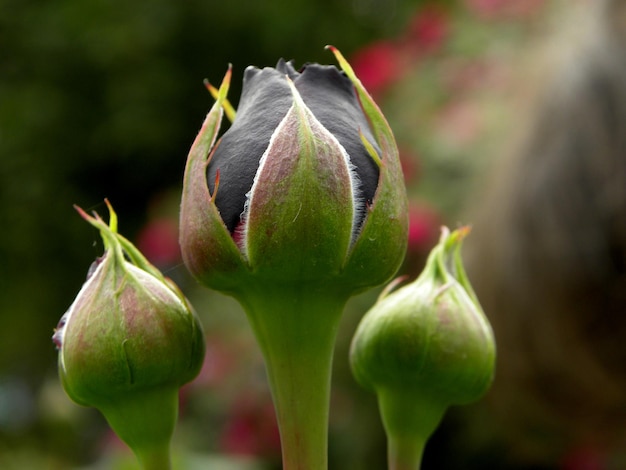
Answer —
426 346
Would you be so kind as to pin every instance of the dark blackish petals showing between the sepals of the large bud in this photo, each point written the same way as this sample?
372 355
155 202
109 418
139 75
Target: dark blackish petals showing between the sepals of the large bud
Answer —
264 102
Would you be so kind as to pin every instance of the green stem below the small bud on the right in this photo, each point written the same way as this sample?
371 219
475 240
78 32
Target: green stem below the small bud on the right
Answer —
409 421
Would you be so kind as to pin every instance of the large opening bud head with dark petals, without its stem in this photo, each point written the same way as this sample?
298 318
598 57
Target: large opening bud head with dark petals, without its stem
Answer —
305 185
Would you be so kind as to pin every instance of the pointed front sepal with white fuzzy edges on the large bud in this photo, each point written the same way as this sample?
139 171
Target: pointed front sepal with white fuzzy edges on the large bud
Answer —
300 214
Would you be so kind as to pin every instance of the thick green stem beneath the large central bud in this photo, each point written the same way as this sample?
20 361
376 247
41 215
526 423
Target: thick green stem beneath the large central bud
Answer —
296 330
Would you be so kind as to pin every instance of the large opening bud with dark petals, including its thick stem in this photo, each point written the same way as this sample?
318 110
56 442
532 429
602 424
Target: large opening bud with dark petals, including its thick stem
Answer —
298 206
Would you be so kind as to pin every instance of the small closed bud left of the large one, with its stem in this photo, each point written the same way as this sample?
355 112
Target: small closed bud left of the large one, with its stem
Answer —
128 342
